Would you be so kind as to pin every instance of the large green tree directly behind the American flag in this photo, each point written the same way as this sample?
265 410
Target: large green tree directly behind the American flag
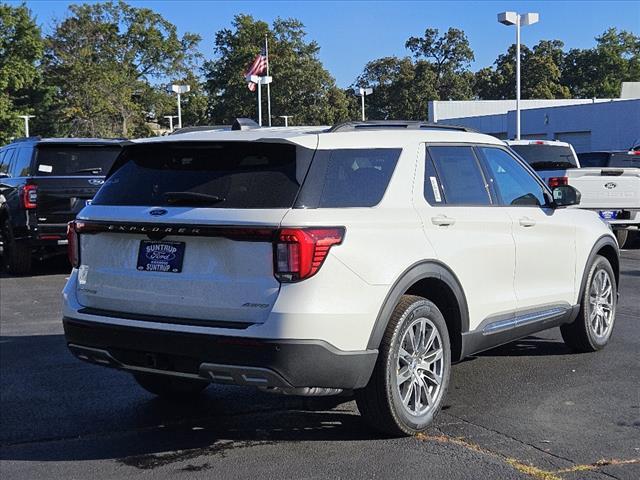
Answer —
301 86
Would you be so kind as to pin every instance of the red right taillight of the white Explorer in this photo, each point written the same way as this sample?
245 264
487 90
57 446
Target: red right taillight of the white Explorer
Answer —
300 252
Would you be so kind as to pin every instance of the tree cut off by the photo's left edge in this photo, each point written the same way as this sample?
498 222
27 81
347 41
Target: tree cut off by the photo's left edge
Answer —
21 48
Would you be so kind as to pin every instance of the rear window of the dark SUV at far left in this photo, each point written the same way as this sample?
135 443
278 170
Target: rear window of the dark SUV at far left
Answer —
67 160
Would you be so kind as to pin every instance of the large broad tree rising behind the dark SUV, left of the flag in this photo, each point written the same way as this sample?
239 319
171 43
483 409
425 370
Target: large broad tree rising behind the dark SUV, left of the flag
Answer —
103 61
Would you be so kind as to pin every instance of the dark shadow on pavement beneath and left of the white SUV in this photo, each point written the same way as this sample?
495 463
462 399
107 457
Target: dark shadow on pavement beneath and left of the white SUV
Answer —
56 408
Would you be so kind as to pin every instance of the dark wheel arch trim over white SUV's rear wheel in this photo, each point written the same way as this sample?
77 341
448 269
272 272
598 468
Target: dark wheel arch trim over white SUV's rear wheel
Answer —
435 281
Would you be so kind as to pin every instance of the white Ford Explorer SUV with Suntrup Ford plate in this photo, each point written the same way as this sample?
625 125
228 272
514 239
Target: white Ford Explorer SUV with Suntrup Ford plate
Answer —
366 257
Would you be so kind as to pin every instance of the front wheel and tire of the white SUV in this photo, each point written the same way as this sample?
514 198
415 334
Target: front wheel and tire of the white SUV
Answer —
587 334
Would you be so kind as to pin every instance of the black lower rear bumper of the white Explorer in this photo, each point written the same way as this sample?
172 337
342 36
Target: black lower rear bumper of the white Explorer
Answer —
220 359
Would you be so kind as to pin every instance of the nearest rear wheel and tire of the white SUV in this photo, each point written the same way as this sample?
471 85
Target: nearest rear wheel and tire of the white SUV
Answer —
380 402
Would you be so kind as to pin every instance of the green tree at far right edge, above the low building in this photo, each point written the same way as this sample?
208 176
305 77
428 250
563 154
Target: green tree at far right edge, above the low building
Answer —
600 71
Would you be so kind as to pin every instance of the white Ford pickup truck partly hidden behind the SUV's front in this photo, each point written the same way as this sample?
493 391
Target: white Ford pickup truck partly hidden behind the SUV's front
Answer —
608 181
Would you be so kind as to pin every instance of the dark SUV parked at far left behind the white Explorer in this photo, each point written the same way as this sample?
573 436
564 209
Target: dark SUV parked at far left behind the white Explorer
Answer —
44 183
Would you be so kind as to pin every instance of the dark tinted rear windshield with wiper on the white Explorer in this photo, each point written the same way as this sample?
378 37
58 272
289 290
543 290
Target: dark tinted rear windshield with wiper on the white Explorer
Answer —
213 175
